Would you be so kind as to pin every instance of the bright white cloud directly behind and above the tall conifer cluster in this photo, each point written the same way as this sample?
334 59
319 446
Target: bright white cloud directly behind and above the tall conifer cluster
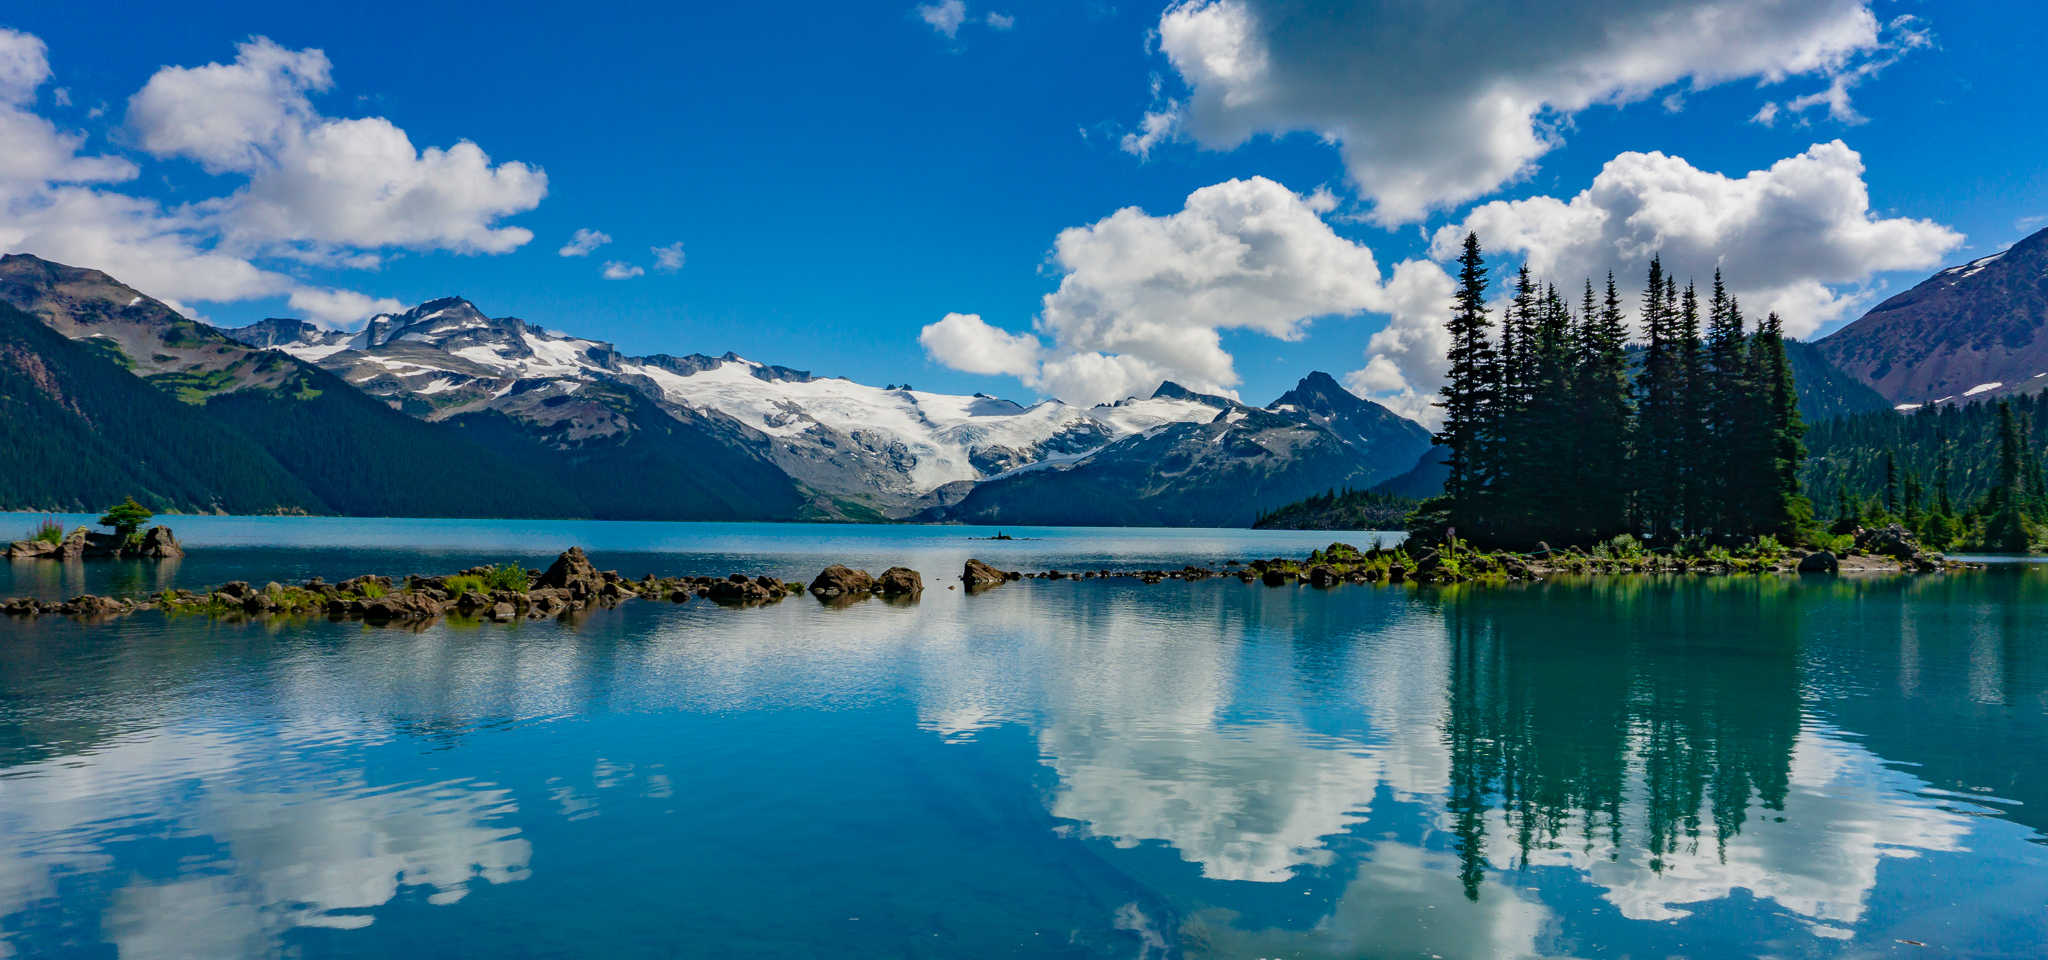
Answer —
1797 241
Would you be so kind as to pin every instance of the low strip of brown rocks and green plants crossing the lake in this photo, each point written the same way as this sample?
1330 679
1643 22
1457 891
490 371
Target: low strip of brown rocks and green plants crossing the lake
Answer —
574 584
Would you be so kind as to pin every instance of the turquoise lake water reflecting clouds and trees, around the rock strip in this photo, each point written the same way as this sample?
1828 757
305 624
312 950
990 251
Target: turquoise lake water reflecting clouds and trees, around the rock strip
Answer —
1596 769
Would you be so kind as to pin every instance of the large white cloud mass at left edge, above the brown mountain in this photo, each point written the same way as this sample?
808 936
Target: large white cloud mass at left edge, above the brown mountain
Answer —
312 187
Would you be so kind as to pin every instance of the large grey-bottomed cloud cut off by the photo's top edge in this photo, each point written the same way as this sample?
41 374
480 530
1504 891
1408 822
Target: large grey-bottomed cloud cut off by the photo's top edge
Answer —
1435 107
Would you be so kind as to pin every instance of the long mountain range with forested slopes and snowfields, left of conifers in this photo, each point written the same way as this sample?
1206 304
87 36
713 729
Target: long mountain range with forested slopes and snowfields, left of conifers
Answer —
443 410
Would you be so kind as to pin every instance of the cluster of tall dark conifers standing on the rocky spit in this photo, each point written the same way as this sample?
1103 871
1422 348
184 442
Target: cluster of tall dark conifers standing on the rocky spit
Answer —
1553 435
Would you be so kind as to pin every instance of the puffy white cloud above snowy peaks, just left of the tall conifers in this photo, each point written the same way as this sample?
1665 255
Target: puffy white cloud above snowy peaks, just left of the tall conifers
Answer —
1146 300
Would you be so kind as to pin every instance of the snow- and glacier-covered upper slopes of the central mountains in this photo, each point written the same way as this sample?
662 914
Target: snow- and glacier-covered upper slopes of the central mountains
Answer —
892 451
